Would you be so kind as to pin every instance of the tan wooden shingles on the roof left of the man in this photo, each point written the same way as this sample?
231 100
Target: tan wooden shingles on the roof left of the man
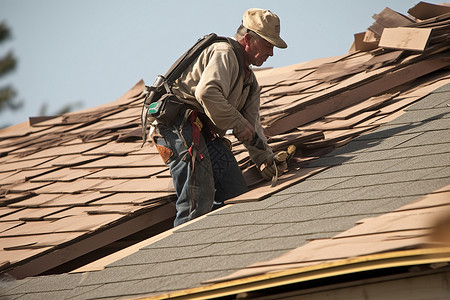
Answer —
66 177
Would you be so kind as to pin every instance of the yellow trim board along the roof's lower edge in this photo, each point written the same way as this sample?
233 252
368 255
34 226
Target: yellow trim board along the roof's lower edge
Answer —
321 270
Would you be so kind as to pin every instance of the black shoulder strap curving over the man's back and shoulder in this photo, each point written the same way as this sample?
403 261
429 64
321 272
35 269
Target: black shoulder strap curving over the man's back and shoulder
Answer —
192 53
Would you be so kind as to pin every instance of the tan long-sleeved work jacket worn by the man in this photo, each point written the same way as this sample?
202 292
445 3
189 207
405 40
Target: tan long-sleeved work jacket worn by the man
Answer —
207 84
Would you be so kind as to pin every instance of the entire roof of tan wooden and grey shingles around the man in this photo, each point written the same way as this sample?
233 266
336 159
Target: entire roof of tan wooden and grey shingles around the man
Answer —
372 132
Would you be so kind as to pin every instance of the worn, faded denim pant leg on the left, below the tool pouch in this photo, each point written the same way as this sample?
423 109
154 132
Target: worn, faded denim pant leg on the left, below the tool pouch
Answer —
197 188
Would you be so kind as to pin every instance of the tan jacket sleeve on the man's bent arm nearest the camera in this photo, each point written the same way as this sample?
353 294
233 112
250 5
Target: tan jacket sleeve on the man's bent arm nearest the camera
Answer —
219 74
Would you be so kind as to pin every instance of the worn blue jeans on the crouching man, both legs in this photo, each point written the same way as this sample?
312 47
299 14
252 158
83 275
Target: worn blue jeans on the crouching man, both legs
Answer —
215 177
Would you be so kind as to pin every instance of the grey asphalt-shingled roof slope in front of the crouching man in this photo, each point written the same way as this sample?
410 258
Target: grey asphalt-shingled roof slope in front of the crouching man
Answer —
406 160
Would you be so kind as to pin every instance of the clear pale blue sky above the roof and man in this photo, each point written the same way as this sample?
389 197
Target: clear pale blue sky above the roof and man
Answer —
95 50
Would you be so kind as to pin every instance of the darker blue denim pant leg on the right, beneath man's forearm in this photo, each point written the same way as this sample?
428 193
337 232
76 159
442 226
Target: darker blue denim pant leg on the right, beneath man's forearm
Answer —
228 179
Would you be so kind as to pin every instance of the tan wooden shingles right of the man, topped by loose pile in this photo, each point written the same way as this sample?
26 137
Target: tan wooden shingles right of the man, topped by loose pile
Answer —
323 104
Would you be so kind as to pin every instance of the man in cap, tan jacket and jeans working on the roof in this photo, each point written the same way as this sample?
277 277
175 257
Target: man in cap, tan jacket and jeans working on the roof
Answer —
204 171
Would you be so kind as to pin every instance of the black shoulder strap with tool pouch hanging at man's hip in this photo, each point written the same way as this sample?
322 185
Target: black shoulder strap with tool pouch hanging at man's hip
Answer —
160 103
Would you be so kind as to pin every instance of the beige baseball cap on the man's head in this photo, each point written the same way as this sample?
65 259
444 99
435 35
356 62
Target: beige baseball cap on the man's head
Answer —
266 24
